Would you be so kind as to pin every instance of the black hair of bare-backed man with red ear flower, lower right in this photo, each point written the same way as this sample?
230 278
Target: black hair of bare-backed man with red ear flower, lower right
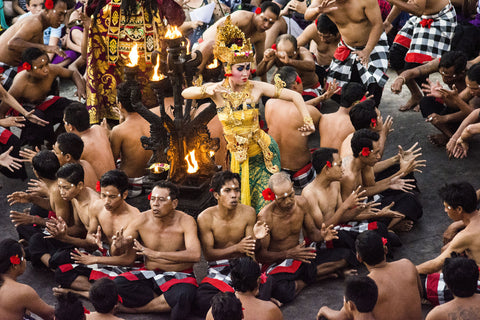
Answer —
369 247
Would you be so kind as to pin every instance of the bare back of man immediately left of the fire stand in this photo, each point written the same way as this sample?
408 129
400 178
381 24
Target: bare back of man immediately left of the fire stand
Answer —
126 145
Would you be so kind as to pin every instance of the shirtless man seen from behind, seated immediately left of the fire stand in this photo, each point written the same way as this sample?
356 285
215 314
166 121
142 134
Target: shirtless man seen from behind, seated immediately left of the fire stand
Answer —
125 141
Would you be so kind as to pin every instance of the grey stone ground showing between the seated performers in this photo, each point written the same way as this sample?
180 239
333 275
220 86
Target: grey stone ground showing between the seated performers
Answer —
422 243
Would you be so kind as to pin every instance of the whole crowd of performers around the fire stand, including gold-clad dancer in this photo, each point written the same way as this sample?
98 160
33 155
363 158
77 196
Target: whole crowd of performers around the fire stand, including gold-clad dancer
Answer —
286 216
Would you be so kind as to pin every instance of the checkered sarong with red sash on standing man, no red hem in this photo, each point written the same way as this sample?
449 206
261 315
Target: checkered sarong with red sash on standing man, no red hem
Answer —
344 59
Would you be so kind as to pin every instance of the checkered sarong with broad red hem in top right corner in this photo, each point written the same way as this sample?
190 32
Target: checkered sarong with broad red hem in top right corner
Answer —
428 37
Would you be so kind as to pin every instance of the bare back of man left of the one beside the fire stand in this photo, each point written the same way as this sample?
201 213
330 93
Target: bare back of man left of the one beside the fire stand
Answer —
97 150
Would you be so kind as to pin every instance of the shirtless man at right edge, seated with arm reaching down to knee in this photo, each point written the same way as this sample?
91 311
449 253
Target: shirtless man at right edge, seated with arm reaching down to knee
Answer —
460 202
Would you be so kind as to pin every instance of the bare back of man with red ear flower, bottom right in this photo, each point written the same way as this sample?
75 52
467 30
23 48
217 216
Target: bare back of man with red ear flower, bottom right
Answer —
398 291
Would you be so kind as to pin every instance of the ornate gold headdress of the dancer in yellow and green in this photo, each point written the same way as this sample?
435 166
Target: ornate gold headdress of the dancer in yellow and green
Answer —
231 46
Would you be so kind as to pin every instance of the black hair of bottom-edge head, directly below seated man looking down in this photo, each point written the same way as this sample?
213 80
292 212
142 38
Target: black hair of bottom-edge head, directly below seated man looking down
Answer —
104 295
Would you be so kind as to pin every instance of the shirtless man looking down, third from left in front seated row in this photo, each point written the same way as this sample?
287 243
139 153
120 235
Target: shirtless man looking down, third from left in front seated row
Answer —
106 225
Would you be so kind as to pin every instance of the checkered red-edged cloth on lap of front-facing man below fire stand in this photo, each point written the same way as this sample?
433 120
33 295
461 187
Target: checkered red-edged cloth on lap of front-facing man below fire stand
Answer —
163 279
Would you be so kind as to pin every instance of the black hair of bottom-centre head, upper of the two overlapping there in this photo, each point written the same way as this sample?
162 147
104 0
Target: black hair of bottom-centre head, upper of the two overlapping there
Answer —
245 273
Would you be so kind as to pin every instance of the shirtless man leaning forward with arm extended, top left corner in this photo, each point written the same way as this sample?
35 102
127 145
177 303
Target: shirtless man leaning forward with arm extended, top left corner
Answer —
29 33
